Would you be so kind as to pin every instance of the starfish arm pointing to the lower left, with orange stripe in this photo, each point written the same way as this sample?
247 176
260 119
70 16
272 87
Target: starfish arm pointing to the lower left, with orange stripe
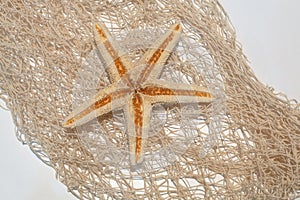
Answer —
98 105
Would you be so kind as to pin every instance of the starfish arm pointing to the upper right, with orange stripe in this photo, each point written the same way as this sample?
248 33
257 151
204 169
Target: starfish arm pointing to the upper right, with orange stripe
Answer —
157 55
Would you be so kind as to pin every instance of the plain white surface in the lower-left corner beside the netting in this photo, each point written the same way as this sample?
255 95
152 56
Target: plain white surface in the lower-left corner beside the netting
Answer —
23 175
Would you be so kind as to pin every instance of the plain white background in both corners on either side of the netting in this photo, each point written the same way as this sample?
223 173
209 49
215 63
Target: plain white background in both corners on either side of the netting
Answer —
269 31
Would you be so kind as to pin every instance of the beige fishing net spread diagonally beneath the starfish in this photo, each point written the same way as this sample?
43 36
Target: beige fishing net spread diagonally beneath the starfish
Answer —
244 145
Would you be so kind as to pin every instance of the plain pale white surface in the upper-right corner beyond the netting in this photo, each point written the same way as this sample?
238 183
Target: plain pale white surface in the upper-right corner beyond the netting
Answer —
269 31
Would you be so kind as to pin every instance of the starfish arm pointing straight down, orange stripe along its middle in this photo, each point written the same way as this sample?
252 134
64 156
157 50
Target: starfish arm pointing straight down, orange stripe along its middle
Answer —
138 116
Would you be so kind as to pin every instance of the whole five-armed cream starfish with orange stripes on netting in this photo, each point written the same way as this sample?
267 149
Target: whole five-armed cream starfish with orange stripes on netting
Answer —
135 87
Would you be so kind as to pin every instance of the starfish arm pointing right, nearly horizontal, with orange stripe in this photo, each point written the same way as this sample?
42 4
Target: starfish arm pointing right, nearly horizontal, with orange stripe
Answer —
162 91
